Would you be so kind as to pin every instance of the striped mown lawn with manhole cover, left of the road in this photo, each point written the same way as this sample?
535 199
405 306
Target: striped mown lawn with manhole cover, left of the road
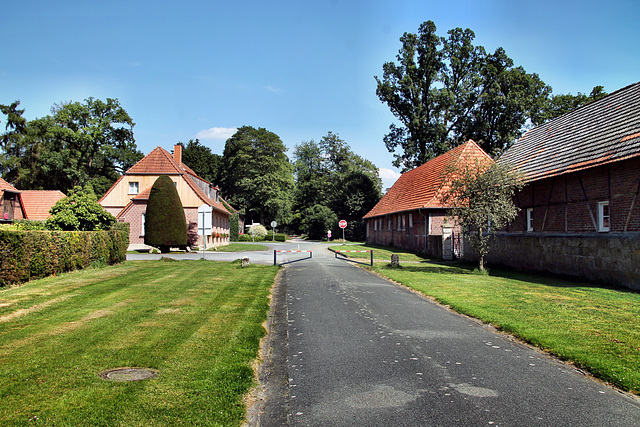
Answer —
197 323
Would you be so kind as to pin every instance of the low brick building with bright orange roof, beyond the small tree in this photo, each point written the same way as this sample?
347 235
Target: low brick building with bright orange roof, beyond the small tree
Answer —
411 215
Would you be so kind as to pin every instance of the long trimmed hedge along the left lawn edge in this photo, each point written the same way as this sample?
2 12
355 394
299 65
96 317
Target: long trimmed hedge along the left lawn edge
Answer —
28 255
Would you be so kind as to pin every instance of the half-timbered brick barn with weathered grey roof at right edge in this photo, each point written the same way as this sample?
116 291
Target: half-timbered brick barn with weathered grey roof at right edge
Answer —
580 211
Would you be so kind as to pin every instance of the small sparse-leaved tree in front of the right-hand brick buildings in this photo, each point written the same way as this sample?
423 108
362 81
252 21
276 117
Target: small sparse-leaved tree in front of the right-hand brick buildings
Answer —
482 200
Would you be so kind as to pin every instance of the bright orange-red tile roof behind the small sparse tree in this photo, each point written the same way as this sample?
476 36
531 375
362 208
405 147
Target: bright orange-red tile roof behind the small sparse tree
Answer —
422 187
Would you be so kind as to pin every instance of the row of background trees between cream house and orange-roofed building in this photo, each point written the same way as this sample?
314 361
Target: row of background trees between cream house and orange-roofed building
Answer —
324 182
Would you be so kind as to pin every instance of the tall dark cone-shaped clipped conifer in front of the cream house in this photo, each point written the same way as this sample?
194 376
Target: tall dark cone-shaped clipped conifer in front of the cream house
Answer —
165 224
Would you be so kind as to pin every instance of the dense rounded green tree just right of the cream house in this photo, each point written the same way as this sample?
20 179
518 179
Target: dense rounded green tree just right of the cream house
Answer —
257 176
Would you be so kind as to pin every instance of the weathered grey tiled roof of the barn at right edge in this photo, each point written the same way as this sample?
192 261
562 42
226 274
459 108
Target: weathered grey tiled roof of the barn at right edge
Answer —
604 131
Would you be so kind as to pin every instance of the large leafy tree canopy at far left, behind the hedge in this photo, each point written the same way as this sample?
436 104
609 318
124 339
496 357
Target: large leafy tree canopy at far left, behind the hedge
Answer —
88 143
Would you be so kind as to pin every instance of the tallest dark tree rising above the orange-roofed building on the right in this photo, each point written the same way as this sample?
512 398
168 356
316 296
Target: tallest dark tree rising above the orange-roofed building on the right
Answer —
444 91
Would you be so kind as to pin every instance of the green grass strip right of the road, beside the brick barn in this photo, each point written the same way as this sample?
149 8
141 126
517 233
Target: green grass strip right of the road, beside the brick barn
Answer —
594 327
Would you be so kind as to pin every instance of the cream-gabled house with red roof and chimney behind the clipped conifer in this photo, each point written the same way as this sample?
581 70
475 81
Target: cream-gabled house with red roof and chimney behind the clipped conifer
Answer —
127 198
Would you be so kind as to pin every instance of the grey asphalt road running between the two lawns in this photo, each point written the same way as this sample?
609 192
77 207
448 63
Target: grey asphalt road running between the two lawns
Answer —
349 348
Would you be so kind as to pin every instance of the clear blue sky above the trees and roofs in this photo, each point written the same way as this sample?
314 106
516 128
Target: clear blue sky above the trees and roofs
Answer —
300 69
